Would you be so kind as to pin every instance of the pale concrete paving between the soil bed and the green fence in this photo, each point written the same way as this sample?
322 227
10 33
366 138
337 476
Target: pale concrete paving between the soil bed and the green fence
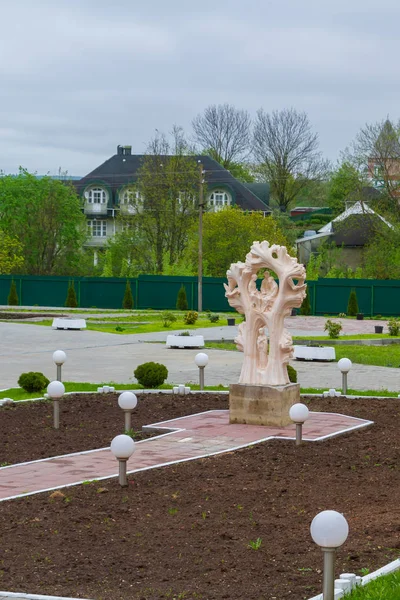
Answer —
103 357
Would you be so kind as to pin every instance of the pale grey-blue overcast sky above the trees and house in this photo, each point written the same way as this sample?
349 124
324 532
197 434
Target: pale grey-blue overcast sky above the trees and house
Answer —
79 77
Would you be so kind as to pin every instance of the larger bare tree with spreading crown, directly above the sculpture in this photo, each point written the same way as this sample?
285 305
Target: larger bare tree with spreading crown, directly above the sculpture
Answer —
287 152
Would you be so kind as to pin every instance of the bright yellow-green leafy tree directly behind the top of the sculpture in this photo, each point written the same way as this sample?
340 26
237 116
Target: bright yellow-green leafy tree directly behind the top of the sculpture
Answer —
228 235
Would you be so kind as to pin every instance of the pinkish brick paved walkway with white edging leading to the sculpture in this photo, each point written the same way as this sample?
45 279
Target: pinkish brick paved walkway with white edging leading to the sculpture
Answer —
192 437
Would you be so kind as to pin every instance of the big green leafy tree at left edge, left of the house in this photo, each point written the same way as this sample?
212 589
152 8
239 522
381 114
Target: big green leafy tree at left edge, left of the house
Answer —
45 216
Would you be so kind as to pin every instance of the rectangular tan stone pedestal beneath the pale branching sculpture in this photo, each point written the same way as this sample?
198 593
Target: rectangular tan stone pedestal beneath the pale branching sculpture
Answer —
262 404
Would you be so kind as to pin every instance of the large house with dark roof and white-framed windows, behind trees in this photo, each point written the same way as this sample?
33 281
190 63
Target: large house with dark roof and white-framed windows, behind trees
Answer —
112 186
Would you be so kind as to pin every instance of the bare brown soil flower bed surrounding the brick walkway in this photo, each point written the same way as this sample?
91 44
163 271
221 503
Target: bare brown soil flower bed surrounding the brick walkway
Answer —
186 531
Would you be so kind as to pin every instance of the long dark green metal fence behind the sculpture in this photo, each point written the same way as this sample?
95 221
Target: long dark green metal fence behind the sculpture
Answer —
327 296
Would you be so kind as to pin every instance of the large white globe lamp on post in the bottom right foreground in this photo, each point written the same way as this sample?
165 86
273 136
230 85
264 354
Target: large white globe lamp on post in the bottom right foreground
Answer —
329 529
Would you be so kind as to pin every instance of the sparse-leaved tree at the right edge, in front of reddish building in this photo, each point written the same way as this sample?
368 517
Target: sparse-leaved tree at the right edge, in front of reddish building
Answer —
376 152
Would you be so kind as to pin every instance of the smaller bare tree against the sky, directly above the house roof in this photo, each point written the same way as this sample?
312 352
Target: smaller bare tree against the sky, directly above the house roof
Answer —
224 132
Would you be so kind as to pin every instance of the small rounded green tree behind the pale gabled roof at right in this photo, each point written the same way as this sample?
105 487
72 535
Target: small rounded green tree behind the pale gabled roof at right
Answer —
345 182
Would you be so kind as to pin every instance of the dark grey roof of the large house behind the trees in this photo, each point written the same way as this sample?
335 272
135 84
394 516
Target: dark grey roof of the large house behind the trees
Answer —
122 169
